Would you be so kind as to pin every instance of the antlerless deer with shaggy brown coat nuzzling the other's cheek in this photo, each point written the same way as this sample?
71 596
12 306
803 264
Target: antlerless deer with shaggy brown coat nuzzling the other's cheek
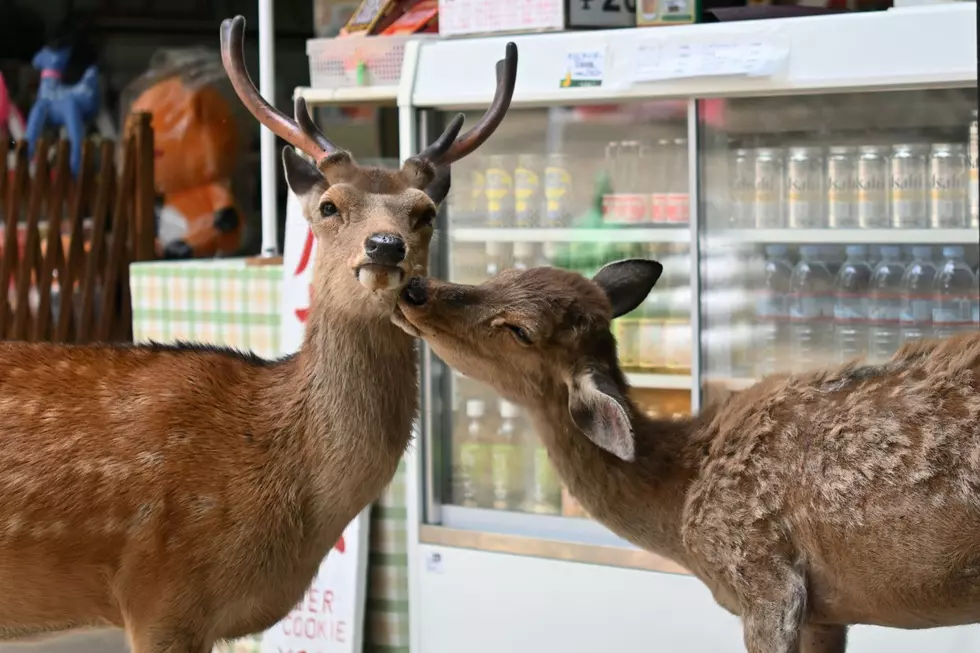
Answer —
806 503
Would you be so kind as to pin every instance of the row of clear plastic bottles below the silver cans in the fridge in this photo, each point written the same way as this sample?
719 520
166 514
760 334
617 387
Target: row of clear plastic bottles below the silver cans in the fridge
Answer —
808 313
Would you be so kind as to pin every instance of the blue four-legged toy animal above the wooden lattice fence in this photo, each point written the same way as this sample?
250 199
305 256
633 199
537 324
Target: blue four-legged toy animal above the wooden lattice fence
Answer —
59 104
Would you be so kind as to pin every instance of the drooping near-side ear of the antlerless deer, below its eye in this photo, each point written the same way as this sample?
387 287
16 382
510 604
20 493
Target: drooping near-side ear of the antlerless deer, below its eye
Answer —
599 411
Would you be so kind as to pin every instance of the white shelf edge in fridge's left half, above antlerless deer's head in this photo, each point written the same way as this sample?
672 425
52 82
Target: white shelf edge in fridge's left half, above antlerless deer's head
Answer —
610 235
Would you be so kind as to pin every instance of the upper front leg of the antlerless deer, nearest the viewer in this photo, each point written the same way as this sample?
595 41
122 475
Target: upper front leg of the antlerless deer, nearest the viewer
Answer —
774 611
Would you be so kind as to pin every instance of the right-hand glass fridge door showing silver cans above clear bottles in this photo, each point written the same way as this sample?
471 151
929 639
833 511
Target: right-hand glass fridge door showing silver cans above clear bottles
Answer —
834 226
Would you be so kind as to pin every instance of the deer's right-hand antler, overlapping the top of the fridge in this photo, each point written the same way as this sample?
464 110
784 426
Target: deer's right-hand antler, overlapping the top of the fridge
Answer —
447 148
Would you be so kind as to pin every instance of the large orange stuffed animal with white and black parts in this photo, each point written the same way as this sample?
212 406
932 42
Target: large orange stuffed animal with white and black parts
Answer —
195 139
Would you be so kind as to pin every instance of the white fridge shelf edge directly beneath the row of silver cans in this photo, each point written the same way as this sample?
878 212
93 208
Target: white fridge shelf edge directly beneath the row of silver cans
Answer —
845 236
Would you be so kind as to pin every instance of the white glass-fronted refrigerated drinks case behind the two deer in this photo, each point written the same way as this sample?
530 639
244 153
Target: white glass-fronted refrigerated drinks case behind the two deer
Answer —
803 211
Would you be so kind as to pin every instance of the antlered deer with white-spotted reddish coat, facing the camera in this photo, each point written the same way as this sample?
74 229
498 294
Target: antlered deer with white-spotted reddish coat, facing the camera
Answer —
188 493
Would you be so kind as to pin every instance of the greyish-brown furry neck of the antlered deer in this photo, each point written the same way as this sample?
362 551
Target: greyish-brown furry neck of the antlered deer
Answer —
353 393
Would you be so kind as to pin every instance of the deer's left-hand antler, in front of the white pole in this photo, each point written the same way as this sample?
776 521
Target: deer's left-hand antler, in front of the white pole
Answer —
301 133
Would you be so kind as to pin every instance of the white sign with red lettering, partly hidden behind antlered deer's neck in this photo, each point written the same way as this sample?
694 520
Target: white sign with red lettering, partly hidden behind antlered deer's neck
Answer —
330 617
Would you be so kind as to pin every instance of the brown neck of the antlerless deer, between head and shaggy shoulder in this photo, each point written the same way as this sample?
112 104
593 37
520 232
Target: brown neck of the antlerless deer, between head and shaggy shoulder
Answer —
641 501
